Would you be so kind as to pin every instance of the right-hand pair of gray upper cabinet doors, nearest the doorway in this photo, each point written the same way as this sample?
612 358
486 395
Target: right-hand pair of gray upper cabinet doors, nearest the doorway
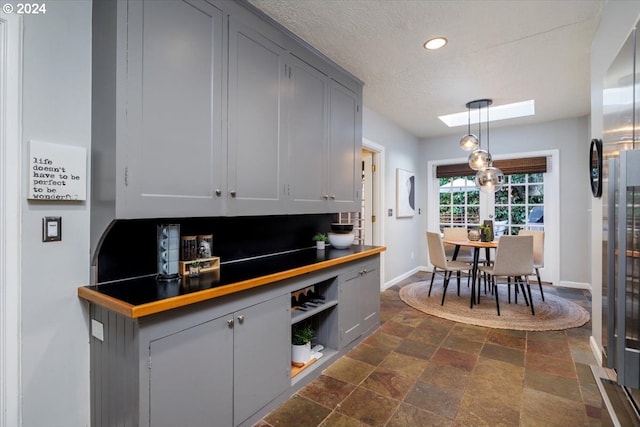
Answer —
325 143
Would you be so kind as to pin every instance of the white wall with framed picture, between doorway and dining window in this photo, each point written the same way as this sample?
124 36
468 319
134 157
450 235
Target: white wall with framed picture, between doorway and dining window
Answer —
402 235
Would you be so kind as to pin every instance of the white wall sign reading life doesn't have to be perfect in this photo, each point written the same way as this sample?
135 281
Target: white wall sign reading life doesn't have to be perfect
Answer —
57 172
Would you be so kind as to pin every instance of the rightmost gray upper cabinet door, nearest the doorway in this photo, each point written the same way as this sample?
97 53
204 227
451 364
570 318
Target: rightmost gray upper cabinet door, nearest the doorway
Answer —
345 150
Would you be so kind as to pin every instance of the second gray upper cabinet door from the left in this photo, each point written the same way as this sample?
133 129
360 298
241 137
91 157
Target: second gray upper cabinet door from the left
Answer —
256 140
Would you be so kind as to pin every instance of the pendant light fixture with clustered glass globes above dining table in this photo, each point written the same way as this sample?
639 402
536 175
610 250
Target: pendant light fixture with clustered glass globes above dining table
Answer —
489 179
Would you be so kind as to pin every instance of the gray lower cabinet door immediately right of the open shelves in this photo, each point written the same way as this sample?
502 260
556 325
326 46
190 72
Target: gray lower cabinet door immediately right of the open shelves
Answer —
349 310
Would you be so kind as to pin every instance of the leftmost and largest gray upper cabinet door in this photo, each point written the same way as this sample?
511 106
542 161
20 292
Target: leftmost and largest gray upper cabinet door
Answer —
173 142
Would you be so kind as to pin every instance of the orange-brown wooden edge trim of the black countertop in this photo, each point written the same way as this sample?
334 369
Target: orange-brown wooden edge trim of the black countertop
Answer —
89 293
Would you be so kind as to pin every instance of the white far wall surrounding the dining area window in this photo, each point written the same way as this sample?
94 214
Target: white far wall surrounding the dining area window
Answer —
567 136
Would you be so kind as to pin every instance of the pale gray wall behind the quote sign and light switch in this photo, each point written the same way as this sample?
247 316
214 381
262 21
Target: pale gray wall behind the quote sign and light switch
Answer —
56 108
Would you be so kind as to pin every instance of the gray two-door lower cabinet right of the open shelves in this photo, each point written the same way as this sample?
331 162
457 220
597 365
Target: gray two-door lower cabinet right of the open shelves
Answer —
359 308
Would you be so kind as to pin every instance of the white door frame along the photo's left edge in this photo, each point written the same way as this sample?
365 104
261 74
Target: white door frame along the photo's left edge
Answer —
10 217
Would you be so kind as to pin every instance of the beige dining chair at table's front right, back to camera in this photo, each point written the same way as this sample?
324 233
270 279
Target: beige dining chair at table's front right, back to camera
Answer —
514 258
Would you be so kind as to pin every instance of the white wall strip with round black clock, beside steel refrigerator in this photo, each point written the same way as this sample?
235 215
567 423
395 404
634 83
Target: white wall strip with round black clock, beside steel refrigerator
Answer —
616 23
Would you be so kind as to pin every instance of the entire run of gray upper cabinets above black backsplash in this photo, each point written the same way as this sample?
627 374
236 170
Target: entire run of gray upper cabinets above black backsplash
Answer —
204 108
